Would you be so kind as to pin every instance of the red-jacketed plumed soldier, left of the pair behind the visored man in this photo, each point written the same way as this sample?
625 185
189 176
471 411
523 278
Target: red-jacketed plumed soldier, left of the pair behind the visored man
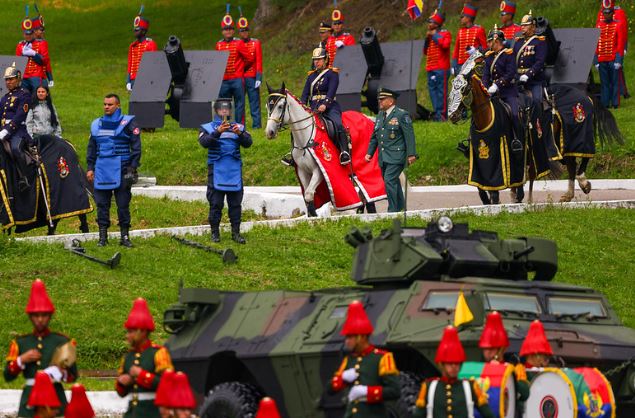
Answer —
239 58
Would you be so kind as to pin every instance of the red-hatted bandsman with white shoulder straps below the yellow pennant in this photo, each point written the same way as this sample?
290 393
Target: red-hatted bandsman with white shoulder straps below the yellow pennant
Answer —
448 395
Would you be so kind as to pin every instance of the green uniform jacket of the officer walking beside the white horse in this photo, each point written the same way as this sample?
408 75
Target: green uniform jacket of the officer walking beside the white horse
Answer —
393 136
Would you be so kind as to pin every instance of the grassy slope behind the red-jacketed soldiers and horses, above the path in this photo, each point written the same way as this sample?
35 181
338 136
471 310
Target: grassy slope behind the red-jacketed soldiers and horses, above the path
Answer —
89 42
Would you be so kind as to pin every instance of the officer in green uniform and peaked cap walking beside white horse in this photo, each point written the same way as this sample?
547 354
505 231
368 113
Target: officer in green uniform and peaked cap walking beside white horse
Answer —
395 139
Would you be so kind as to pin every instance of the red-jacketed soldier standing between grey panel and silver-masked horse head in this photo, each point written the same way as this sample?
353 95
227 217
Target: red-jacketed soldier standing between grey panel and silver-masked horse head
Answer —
437 50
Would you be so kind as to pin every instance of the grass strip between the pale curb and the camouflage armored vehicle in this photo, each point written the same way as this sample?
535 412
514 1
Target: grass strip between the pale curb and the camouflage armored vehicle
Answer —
92 302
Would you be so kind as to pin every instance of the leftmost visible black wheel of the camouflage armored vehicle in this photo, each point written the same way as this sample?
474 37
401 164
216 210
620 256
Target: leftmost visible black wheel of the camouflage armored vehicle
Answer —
231 400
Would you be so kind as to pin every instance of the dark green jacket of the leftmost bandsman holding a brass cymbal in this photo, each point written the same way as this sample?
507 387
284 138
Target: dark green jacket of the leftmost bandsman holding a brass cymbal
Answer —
46 343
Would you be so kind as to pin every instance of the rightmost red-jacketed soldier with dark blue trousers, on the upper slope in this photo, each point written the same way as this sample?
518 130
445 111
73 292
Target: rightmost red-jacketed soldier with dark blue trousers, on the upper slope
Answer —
609 57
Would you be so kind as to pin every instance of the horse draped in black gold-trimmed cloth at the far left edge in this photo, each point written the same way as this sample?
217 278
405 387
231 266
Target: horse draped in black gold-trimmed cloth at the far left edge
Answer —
58 188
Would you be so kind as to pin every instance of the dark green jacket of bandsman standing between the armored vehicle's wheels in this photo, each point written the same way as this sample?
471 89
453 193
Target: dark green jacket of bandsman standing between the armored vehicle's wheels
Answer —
378 371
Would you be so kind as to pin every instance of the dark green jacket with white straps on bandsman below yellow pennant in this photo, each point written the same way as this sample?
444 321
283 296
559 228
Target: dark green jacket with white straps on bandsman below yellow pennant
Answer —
449 400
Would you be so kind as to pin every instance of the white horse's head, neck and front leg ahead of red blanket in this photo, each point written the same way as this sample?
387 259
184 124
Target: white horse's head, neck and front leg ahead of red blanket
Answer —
283 109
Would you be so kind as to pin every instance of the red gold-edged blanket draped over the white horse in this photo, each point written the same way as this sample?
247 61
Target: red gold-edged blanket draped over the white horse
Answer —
341 183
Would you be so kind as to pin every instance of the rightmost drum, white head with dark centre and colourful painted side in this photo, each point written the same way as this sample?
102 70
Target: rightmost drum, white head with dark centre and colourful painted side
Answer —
570 393
